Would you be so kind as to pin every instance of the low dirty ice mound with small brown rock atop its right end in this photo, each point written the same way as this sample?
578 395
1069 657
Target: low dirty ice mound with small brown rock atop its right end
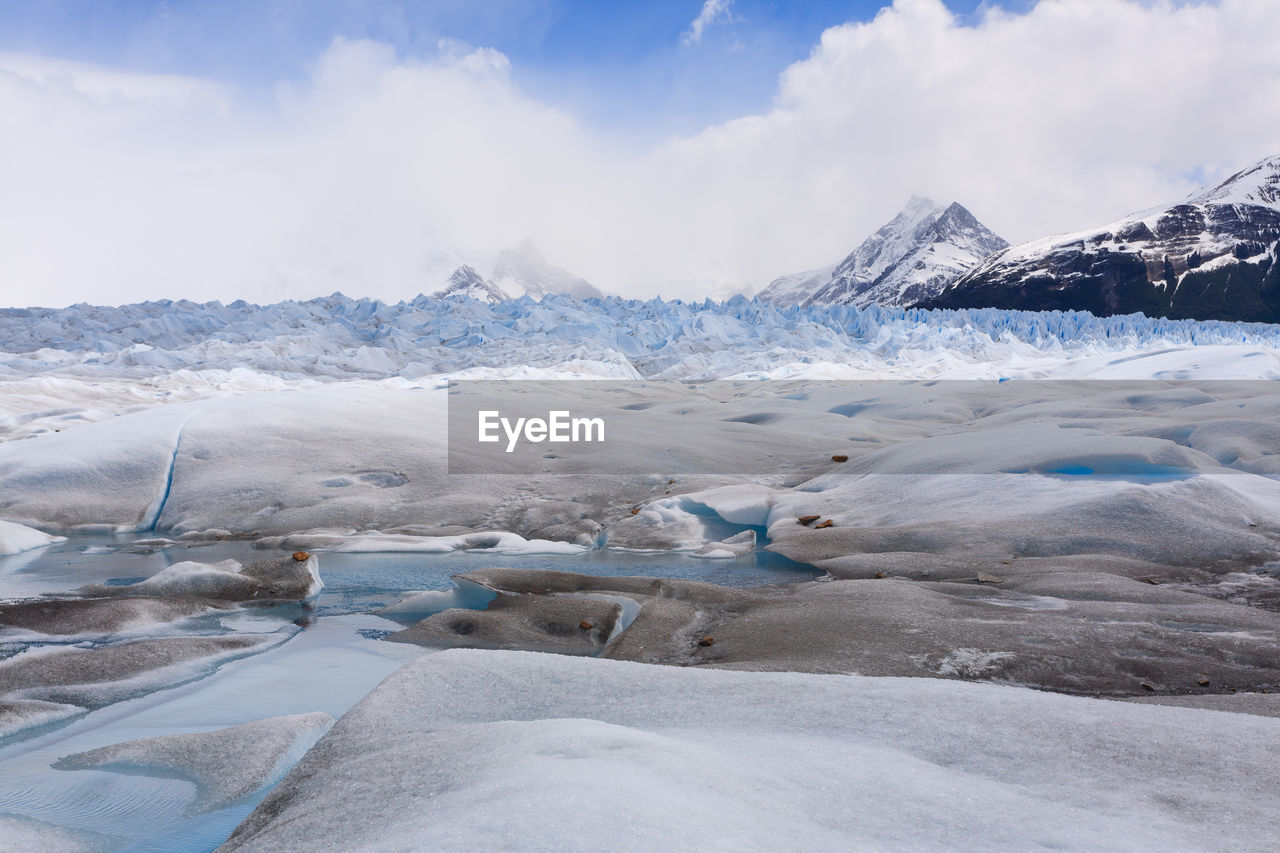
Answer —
281 580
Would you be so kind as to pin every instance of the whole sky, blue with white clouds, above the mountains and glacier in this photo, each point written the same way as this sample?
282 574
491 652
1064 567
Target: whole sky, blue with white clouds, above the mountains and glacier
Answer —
287 149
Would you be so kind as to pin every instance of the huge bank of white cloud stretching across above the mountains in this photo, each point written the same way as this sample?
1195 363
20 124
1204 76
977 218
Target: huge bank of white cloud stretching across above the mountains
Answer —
378 172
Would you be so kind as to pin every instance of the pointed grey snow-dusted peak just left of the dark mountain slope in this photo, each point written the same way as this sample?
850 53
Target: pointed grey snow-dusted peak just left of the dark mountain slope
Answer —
911 259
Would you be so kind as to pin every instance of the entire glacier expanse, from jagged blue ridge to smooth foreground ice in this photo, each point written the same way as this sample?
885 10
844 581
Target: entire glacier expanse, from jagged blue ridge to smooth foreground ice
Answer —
212 431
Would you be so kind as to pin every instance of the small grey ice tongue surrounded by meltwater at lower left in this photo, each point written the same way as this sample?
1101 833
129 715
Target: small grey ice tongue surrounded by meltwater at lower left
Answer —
226 765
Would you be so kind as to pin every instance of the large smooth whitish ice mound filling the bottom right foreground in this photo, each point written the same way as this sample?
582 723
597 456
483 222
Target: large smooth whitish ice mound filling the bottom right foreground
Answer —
557 751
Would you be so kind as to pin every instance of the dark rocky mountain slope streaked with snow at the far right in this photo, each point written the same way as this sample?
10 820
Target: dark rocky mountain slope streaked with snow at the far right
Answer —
1212 257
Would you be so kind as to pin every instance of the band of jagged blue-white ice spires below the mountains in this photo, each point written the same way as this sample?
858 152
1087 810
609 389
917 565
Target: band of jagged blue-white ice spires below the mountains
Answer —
337 337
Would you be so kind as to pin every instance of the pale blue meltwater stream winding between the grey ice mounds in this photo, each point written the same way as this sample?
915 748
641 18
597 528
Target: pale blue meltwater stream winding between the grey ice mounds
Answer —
324 656
